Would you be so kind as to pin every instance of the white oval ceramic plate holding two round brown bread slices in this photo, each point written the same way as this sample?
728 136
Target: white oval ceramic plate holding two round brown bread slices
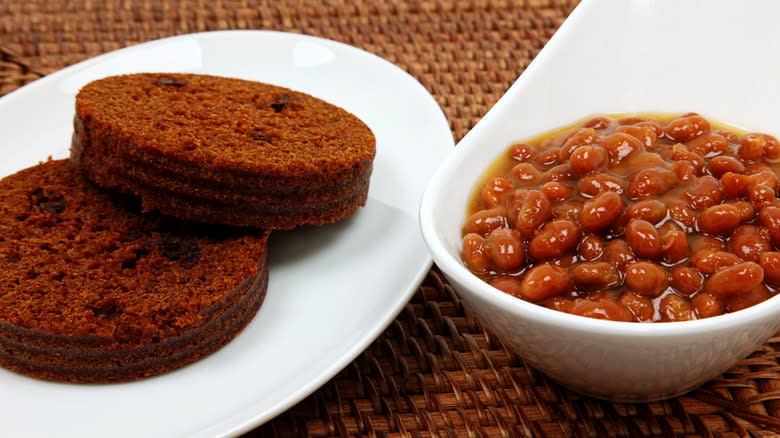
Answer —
332 289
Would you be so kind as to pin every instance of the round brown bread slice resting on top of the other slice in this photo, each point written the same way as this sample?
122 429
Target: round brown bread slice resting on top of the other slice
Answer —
223 150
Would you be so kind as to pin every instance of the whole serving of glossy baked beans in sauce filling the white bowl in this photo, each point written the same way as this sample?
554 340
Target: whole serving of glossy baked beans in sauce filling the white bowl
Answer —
632 220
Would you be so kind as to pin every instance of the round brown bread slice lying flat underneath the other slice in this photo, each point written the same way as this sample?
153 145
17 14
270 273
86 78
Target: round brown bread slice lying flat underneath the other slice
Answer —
93 290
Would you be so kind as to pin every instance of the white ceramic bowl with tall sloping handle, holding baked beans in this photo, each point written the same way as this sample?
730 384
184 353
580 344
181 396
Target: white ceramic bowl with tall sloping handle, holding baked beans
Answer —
618 56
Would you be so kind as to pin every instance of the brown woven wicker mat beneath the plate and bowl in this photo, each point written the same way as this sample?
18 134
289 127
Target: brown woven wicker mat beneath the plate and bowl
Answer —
434 372
